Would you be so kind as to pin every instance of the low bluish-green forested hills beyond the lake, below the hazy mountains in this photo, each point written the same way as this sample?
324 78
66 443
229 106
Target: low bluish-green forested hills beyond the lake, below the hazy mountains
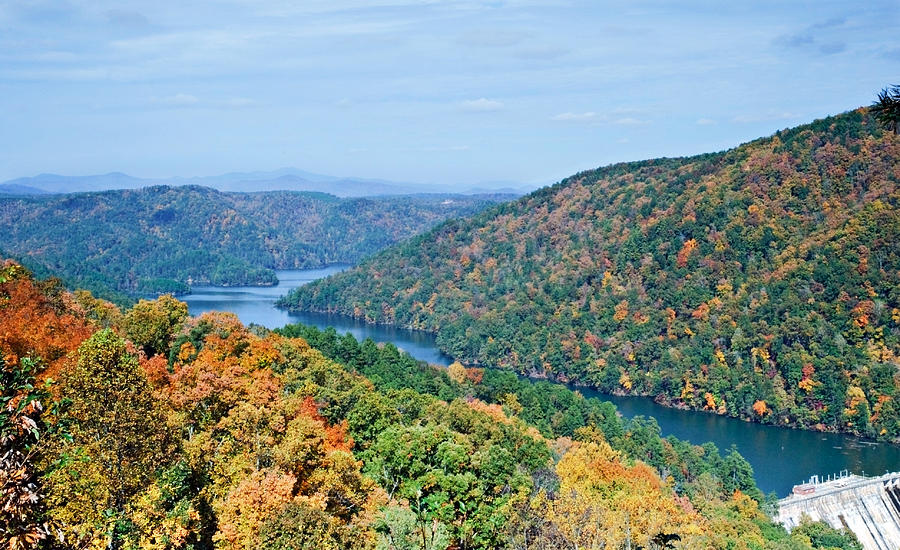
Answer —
159 239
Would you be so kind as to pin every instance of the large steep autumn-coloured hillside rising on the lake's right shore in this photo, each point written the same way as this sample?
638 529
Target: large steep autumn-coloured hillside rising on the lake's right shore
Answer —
762 282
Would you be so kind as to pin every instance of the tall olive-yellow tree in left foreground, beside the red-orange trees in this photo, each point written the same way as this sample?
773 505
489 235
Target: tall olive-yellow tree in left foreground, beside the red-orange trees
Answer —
117 431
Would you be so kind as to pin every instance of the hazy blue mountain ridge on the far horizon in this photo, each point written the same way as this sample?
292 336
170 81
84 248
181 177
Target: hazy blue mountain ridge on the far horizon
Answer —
283 179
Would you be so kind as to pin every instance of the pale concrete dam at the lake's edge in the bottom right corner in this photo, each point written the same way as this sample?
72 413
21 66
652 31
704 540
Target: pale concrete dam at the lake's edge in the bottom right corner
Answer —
868 506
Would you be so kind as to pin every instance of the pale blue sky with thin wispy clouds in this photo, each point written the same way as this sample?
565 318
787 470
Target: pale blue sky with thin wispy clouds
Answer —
447 92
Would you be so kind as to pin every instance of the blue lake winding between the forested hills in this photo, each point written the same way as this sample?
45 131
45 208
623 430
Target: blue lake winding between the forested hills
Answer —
780 457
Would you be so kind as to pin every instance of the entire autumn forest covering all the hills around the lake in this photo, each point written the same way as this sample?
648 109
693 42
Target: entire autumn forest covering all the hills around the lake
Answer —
761 283
